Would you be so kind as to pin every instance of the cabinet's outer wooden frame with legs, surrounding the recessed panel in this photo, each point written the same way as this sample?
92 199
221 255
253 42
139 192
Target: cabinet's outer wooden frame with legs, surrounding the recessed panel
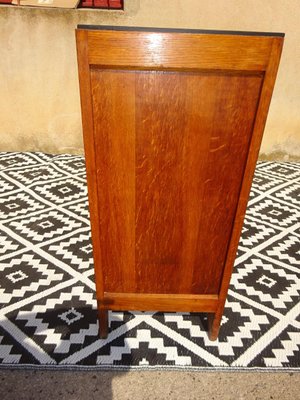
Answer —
123 49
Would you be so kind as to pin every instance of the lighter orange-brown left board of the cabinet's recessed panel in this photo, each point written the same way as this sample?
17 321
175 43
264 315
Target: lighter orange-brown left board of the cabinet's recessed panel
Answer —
114 133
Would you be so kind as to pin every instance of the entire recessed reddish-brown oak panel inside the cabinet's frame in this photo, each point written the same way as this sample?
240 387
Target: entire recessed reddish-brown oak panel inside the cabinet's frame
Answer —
169 174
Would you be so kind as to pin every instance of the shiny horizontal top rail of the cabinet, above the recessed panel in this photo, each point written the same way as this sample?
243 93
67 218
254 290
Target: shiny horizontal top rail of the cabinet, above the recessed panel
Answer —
155 50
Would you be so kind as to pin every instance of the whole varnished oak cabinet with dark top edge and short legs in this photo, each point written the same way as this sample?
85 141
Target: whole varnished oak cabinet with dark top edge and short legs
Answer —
172 124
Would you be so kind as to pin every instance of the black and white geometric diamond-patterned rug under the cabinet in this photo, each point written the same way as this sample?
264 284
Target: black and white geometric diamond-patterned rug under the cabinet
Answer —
47 294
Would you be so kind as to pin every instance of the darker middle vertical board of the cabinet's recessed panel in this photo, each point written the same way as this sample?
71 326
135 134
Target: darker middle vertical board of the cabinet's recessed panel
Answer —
160 120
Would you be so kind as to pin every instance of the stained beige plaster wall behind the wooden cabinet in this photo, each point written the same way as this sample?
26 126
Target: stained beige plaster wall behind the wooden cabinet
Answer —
39 96
